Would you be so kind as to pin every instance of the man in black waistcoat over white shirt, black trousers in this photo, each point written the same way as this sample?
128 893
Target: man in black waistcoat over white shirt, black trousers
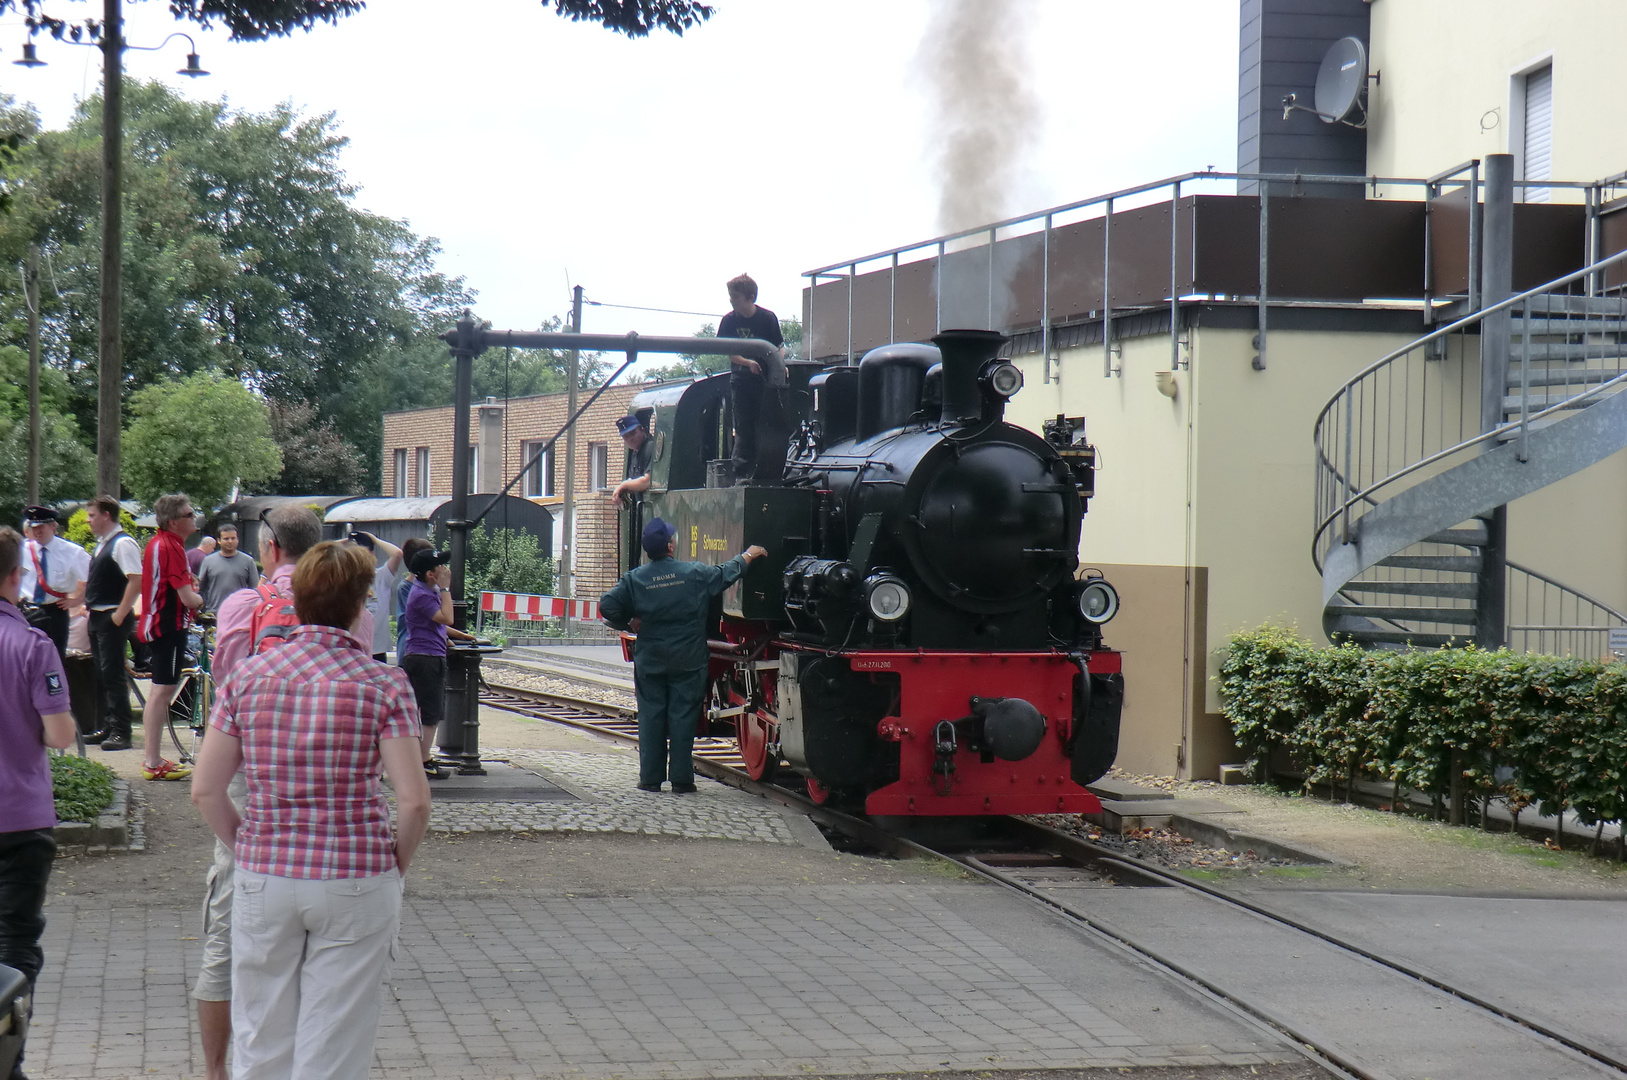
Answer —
115 581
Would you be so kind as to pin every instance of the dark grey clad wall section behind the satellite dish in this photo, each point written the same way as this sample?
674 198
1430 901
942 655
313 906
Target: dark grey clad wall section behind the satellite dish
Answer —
1280 51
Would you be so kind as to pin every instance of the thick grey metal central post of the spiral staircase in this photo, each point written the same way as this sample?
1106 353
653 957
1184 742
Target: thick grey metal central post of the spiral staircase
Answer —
1498 264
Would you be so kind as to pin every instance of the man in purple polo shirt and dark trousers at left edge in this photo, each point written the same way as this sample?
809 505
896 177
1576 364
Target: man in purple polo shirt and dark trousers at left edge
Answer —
33 716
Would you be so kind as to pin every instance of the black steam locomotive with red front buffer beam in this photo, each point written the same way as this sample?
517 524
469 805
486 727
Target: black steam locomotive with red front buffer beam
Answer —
918 640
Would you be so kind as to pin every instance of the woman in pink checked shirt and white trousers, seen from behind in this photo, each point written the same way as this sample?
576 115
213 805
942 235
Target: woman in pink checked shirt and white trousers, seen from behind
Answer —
320 873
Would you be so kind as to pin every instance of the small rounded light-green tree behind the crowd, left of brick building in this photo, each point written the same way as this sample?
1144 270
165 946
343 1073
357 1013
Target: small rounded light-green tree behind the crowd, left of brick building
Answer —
198 435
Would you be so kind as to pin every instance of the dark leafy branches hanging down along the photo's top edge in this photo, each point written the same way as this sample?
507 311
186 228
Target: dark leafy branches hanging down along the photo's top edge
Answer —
255 20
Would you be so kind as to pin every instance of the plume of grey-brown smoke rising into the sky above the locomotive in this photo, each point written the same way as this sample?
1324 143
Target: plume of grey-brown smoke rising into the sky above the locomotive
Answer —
984 113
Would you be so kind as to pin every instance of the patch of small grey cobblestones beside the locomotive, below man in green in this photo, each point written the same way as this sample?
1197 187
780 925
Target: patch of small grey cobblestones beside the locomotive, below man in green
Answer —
608 801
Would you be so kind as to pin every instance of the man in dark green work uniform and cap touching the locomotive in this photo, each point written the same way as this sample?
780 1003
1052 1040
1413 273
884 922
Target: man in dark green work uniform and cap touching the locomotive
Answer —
666 603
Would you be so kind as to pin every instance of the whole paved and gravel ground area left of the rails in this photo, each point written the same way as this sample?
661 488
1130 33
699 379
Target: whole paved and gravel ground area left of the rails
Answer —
613 933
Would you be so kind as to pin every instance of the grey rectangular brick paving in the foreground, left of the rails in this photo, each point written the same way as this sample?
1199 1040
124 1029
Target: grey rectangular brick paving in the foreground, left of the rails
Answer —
731 983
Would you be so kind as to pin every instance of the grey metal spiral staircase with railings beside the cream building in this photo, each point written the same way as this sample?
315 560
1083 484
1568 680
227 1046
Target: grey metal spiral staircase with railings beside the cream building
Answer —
1413 471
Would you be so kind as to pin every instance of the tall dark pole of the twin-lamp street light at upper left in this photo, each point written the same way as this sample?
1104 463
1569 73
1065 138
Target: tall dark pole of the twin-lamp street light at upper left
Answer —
110 377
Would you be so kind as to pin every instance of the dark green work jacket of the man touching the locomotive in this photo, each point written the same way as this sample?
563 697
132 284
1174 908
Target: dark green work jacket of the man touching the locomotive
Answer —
671 601
